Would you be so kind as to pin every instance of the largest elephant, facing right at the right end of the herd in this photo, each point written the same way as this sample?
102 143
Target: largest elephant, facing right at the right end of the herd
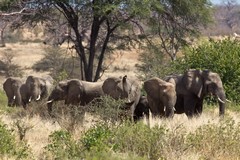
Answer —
193 86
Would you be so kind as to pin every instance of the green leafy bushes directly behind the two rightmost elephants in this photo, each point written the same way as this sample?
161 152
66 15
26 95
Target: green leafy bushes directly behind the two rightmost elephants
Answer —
221 57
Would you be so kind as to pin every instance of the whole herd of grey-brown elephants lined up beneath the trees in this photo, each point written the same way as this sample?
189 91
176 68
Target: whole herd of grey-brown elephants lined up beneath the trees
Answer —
174 94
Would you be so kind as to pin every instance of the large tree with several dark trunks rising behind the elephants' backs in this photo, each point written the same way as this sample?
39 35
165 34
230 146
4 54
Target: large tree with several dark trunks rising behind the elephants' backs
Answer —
91 25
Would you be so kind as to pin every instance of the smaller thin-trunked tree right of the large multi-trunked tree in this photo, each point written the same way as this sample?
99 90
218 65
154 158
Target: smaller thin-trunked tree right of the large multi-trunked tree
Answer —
175 21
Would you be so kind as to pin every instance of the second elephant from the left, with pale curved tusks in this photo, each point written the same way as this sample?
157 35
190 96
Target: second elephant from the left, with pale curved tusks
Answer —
35 88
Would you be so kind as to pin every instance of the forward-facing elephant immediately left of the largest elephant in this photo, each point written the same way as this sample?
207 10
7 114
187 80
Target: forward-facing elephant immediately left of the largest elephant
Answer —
161 96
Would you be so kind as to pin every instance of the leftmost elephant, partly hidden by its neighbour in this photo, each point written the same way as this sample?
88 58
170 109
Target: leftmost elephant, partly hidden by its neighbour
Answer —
11 87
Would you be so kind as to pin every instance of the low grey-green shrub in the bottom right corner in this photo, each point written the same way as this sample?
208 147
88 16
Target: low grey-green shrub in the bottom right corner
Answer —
216 140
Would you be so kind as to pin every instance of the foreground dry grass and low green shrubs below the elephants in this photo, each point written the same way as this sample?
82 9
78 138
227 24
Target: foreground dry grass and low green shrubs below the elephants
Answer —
206 137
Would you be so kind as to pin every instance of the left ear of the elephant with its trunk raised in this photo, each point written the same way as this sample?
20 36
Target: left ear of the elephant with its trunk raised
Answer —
110 87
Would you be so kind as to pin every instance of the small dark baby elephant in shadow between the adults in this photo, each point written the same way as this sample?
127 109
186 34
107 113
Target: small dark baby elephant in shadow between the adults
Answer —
142 108
